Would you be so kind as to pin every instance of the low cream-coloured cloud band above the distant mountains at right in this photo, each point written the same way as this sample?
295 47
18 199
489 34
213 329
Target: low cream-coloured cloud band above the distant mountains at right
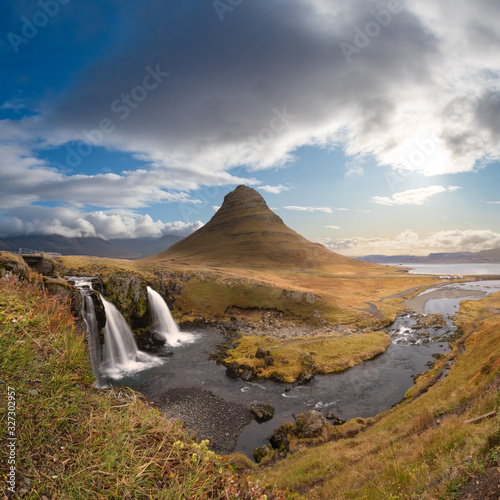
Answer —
409 242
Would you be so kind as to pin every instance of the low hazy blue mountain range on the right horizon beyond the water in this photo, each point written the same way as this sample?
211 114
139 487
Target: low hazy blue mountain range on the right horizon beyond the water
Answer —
436 258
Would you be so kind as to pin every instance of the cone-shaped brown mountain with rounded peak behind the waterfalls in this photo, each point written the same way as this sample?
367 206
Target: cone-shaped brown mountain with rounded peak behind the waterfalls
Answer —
245 232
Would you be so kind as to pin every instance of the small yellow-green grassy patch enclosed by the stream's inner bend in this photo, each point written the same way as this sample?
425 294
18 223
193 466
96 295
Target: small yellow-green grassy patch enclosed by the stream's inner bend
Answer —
317 355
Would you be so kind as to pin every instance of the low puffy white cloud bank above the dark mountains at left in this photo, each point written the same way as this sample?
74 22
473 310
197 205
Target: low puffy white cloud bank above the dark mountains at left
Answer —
71 222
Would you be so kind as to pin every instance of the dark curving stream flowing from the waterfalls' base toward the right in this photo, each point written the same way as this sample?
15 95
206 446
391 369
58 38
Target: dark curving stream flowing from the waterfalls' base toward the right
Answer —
364 391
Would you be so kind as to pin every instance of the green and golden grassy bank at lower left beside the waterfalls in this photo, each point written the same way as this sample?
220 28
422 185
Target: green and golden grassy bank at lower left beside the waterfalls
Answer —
74 441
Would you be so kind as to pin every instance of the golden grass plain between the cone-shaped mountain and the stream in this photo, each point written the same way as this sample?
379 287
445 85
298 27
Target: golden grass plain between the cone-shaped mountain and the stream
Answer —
219 293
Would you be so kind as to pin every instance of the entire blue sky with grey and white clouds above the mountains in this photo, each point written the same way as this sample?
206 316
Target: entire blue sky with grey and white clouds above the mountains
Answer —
371 126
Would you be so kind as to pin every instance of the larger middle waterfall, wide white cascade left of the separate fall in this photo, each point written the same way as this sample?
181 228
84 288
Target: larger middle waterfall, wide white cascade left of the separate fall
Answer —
120 354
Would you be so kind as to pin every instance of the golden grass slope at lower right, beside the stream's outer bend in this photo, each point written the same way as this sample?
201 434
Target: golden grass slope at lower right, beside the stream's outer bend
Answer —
422 449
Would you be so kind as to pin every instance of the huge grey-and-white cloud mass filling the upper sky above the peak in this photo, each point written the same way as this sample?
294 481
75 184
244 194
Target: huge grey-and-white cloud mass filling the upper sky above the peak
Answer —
402 99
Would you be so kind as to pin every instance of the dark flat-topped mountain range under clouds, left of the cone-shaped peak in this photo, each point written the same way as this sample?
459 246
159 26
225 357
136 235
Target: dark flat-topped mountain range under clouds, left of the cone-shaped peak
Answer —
132 248
